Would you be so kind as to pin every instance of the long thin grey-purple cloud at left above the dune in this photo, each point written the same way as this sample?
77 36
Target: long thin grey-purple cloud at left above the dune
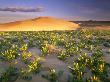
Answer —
22 9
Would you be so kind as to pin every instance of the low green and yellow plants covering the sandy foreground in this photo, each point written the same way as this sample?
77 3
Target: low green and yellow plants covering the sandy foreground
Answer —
86 48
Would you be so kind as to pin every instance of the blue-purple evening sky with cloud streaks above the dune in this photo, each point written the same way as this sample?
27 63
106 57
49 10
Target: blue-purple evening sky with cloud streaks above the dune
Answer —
76 10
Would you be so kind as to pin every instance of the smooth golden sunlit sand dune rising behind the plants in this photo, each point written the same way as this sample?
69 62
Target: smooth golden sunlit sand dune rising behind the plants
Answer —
39 24
